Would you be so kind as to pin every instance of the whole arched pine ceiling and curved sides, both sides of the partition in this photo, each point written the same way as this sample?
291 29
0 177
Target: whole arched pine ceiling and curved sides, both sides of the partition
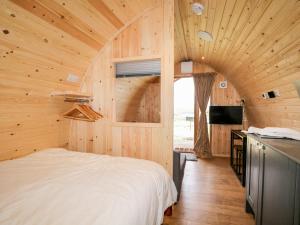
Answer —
256 45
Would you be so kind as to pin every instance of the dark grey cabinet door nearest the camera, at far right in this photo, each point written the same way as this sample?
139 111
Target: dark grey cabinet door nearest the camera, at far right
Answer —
277 190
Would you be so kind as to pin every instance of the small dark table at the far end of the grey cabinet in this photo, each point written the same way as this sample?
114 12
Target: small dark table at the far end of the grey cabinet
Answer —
238 154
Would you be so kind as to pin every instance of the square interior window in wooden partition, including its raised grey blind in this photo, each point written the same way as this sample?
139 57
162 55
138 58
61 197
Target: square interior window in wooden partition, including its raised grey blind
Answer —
137 91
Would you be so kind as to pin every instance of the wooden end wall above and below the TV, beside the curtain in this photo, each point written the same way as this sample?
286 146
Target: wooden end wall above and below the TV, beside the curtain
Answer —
220 134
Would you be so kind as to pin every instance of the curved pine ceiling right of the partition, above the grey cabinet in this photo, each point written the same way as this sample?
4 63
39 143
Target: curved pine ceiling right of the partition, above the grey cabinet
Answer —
256 44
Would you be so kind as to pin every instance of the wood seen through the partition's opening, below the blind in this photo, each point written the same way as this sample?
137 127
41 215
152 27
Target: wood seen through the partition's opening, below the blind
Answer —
138 99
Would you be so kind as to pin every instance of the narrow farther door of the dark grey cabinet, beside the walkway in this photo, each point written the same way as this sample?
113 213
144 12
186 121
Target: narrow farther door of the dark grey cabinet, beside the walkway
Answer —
252 173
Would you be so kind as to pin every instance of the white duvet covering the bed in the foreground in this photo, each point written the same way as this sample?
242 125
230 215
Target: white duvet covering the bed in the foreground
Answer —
60 187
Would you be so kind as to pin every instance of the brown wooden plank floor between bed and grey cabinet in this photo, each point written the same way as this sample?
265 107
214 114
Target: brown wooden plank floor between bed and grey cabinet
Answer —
211 195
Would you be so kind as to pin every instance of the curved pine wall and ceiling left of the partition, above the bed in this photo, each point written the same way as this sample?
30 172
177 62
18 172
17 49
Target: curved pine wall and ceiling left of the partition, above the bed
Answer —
41 42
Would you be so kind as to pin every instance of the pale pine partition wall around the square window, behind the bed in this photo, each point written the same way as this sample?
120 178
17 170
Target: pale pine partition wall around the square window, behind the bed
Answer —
150 36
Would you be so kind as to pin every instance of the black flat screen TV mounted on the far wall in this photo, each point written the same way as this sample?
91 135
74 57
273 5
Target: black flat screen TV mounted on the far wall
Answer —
225 114
